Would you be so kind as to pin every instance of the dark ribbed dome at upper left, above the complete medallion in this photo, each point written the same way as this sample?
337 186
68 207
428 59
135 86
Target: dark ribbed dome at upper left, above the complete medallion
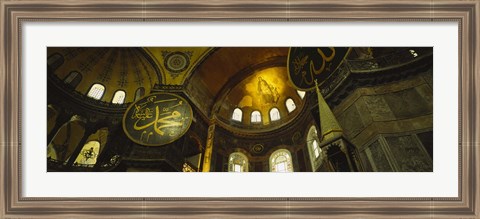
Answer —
125 69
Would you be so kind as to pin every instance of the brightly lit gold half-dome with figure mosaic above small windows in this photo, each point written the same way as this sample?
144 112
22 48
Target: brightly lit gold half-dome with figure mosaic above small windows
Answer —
267 89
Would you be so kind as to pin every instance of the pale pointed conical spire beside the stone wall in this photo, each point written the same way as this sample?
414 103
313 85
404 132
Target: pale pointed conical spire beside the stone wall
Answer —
329 126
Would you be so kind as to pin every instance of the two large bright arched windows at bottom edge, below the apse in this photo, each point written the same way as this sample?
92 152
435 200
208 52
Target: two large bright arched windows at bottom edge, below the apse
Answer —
280 161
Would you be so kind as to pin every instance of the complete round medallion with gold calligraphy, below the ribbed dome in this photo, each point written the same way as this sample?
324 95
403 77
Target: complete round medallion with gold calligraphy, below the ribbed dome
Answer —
157 119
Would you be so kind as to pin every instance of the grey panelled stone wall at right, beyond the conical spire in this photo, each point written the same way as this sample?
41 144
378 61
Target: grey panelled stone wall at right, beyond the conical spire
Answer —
391 125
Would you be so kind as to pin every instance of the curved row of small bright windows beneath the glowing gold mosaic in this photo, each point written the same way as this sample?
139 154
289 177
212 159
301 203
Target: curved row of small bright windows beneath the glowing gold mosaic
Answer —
256 116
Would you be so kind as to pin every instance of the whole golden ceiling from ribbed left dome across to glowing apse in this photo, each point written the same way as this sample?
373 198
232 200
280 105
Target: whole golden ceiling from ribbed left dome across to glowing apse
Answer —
216 80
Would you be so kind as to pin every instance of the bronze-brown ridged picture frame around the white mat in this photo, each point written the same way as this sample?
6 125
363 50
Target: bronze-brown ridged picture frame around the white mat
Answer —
14 13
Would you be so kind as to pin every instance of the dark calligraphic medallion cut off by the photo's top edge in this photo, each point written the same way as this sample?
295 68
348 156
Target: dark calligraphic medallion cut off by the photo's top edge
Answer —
307 64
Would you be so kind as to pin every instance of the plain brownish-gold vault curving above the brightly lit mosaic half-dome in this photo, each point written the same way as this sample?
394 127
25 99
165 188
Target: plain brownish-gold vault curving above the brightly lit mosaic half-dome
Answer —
224 68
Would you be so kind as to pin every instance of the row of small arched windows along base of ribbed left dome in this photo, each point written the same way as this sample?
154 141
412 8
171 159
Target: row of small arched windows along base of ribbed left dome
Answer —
97 90
